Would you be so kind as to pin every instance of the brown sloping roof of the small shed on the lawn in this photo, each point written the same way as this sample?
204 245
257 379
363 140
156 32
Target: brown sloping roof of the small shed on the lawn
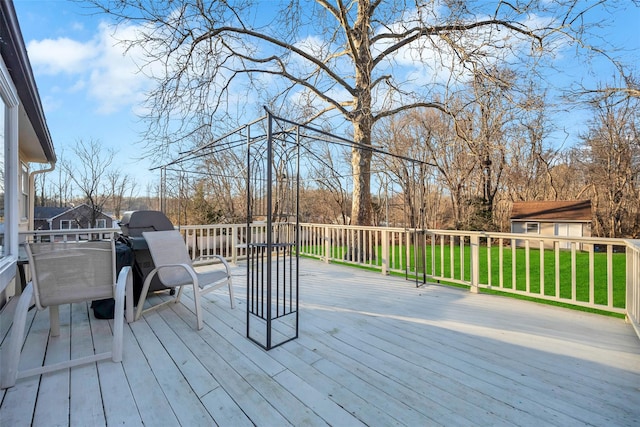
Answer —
576 210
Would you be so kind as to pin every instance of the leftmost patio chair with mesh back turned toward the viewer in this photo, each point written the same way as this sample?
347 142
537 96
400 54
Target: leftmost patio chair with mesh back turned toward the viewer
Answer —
66 273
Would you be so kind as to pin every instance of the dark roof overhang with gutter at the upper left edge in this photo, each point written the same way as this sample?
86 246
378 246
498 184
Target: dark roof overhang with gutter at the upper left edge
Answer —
35 139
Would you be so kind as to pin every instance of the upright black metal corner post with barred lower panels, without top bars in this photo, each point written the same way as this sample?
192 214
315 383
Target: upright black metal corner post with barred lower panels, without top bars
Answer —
272 255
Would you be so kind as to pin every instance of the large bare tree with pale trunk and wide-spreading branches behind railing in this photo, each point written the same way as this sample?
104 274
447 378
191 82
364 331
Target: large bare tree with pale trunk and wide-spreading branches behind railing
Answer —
365 60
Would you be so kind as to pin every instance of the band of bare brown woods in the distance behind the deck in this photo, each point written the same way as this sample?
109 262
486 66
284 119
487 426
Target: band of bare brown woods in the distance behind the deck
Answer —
469 170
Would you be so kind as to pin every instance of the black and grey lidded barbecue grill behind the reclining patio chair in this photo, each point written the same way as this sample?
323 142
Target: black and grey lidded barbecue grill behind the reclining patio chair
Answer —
133 224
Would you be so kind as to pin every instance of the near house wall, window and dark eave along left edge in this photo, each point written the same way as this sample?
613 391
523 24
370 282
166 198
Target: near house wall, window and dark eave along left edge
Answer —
26 140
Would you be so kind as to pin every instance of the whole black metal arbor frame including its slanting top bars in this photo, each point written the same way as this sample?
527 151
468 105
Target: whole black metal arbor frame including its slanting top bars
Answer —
278 155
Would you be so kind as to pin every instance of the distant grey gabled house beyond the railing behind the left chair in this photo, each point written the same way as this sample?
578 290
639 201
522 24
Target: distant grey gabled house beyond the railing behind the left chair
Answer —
66 218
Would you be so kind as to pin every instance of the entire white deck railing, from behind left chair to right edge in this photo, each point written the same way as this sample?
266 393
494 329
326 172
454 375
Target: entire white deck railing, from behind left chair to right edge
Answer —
600 274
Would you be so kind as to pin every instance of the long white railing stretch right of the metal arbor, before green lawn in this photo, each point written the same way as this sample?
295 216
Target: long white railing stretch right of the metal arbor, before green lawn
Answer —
588 272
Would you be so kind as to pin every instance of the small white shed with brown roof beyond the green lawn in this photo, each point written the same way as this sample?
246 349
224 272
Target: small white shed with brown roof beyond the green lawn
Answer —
552 218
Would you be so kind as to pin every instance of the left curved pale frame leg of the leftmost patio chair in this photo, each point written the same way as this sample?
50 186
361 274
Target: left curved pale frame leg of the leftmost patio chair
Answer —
12 356
